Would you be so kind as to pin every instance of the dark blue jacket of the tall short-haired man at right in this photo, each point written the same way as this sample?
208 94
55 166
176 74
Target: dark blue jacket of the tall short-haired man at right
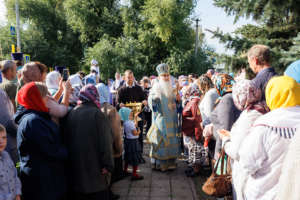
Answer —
262 78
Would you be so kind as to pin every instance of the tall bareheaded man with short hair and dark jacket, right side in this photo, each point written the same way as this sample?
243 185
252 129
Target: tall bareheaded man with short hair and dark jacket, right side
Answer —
259 59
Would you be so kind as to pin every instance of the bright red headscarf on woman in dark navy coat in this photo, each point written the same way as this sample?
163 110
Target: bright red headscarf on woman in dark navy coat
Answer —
30 97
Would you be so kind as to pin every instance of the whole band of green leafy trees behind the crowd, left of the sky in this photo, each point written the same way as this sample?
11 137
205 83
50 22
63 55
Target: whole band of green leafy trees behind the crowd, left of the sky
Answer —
138 37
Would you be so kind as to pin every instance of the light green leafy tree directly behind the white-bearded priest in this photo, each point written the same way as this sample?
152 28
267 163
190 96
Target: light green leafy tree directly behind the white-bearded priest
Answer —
154 32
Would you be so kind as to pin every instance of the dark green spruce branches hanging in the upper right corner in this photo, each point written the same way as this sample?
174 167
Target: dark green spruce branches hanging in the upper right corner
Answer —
278 24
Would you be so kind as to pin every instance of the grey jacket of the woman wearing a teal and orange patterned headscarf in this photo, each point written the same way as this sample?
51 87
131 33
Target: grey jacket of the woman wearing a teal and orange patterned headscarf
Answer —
223 117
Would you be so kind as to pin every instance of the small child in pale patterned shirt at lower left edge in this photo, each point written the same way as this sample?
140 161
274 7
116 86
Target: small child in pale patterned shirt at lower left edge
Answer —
10 185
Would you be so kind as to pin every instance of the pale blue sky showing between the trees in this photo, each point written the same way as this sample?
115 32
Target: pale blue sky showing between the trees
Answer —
211 18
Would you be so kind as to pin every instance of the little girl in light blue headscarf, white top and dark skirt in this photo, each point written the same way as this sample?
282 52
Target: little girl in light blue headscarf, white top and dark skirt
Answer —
131 144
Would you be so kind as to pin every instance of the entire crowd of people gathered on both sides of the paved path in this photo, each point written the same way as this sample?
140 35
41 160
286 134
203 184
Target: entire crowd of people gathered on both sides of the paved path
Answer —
73 138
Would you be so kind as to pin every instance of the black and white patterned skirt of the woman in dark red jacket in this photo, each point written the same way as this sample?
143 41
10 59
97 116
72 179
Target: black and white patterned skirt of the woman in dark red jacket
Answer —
197 153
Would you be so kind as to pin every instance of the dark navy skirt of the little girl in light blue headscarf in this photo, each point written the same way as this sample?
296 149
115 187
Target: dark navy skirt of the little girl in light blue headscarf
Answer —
133 152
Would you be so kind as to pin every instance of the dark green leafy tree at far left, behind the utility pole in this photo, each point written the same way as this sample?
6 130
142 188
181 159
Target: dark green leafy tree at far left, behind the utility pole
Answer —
47 36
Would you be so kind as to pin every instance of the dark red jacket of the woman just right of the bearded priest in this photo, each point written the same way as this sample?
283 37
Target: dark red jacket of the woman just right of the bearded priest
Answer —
191 119
